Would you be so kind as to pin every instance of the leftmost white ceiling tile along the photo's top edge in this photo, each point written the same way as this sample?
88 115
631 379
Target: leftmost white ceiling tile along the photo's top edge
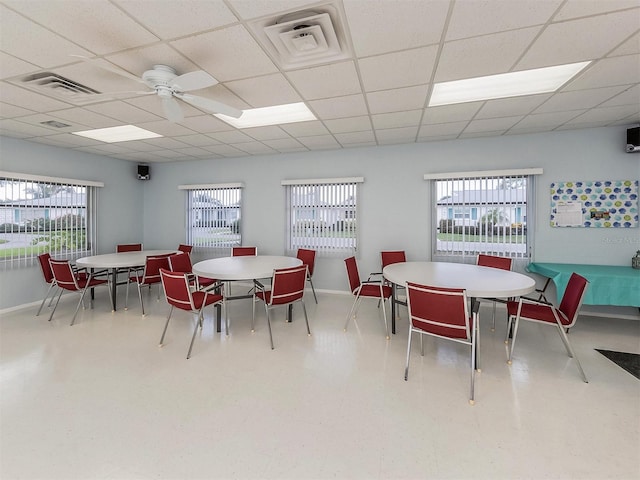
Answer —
99 26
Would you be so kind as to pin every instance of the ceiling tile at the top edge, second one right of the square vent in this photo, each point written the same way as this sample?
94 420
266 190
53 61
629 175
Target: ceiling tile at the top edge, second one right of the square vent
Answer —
471 18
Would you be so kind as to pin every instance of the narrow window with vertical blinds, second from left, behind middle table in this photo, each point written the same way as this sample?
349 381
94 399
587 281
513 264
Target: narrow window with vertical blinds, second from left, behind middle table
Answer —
214 214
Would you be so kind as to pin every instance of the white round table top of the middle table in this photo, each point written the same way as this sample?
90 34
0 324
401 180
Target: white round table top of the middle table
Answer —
243 268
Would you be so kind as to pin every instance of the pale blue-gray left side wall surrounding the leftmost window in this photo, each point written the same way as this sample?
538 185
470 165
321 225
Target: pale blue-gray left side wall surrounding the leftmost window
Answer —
120 204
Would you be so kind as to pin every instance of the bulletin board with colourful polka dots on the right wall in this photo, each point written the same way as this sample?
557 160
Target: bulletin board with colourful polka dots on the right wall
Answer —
598 203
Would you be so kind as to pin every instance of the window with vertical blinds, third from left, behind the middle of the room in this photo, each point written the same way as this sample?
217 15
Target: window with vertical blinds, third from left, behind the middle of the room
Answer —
322 215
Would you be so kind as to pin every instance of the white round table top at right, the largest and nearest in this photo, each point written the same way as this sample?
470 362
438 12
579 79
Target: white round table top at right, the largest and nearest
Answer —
478 281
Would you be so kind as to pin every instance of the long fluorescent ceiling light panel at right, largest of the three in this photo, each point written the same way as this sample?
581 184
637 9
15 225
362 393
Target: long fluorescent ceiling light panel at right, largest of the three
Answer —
525 82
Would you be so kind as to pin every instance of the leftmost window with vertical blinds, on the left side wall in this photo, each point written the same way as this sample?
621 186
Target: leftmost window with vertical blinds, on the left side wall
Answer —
44 214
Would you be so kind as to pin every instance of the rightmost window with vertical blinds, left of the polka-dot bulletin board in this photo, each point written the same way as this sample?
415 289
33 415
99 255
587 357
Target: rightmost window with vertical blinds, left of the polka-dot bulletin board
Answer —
482 212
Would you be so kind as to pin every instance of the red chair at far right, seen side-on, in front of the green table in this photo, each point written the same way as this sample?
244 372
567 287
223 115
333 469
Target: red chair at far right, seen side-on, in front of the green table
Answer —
562 317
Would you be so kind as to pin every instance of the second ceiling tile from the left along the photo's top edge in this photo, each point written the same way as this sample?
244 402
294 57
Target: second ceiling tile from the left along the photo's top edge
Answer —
170 19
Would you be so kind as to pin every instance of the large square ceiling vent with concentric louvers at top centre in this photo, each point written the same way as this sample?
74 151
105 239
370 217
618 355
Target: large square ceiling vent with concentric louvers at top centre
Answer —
306 38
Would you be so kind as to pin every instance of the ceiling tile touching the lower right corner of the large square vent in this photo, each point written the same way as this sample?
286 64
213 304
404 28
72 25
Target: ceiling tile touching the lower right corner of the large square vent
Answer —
399 69
